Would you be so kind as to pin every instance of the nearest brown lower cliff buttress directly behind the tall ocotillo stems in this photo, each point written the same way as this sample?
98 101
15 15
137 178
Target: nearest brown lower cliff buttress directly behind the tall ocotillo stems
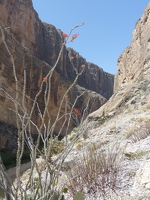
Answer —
31 70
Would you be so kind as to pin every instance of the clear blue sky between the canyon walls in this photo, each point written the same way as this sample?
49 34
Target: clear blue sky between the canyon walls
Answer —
107 30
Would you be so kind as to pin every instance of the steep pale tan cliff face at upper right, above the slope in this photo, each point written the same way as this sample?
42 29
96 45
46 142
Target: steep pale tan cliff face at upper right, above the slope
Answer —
134 62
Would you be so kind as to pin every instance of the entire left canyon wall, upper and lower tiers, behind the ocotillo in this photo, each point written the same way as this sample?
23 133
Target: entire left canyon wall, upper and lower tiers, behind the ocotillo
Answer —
35 46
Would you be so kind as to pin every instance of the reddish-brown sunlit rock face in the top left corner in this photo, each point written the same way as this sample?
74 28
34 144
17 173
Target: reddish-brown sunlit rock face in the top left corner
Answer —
18 15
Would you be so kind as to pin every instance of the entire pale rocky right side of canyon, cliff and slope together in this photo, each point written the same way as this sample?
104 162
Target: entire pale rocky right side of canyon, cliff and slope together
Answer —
120 127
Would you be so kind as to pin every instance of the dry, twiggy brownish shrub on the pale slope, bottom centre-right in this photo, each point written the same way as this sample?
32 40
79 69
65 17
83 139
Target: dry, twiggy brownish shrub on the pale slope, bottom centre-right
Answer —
95 171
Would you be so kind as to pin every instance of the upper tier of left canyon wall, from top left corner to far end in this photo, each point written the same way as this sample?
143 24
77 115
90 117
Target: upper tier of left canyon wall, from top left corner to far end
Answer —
44 41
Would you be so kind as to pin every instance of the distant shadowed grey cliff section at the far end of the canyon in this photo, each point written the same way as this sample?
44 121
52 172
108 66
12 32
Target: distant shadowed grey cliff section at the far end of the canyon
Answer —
93 78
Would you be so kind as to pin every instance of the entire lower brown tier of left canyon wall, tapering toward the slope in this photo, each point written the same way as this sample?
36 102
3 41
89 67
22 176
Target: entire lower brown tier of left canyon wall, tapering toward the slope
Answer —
32 70
